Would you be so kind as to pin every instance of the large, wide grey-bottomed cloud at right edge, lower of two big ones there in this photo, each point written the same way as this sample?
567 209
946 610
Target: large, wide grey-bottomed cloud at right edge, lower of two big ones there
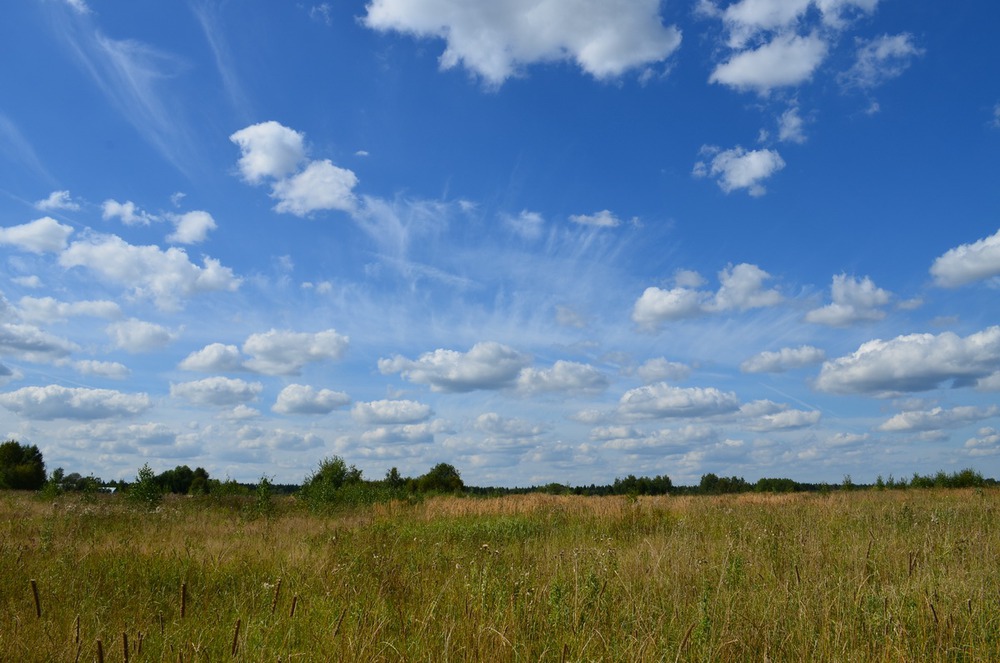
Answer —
915 362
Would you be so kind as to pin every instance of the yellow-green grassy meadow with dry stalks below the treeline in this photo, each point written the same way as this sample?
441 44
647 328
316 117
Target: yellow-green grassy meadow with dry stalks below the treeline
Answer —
908 575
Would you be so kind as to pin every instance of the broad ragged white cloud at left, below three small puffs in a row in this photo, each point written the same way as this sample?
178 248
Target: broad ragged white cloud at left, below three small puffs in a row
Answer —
166 276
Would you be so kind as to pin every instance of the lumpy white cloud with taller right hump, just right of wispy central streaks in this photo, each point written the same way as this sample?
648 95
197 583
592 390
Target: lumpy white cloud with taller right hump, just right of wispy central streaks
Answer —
741 288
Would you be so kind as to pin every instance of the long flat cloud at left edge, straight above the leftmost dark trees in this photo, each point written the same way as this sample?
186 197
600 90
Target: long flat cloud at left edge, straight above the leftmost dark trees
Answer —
56 402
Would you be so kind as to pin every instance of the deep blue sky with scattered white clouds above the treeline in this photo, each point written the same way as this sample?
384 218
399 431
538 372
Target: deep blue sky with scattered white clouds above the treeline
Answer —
541 240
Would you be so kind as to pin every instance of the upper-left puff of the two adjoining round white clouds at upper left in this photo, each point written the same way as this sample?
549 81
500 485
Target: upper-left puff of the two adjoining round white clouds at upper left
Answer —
269 150
